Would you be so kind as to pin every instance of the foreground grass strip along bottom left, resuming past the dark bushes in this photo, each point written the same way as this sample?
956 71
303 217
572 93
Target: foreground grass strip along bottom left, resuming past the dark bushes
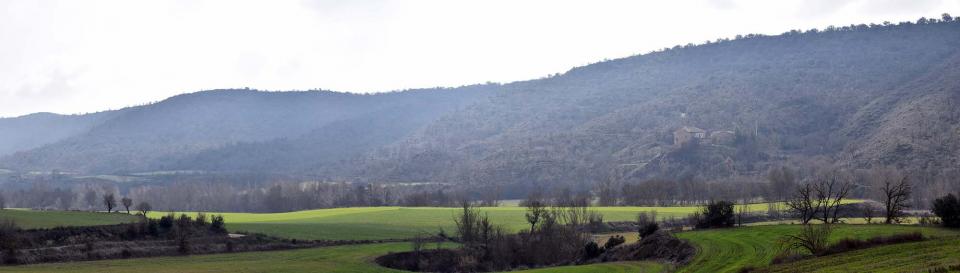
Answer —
341 259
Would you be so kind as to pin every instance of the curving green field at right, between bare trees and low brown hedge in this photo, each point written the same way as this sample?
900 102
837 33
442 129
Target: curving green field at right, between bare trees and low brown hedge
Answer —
728 250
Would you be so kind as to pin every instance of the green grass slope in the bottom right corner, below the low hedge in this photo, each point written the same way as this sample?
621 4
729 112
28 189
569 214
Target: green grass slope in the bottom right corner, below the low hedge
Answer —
910 257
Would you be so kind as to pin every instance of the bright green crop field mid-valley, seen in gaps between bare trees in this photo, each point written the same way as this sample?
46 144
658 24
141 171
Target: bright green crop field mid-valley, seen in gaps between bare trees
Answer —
373 223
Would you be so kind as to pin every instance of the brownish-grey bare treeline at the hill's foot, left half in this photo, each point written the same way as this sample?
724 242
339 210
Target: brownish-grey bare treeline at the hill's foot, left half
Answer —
231 196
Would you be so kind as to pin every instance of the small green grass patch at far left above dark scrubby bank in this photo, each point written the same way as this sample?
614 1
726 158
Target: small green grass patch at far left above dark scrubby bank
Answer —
48 219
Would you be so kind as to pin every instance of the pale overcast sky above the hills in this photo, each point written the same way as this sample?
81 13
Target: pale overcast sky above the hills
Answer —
73 57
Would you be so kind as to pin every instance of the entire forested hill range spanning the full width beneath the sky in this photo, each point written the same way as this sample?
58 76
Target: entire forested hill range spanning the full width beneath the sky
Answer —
859 96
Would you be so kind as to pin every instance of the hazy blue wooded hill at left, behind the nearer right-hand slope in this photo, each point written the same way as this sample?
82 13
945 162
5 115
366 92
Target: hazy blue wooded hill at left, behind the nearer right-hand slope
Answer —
239 130
